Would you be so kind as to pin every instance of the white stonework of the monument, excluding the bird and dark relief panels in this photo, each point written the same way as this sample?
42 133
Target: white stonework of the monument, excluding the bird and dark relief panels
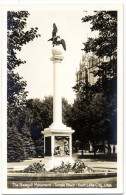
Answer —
57 128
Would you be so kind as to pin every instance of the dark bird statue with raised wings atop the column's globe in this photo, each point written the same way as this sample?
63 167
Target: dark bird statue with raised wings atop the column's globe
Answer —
56 40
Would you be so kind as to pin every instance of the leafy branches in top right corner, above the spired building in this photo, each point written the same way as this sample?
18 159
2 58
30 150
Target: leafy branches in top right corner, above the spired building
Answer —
105 22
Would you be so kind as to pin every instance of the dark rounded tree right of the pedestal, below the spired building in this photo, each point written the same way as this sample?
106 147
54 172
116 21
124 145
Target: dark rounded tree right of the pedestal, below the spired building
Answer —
86 120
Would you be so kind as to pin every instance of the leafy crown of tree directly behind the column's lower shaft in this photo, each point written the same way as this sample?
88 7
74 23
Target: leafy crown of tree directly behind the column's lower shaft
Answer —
41 111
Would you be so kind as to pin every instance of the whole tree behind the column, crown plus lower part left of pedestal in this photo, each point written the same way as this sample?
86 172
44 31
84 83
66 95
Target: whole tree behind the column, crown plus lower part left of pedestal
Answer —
39 115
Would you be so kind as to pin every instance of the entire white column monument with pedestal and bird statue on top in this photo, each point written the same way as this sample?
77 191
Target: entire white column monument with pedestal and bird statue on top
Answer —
58 137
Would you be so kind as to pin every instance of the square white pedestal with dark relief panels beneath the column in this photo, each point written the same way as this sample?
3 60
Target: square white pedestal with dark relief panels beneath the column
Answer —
57 146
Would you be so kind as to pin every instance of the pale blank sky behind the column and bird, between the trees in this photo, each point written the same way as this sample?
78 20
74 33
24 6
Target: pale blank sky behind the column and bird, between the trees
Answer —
38 70
